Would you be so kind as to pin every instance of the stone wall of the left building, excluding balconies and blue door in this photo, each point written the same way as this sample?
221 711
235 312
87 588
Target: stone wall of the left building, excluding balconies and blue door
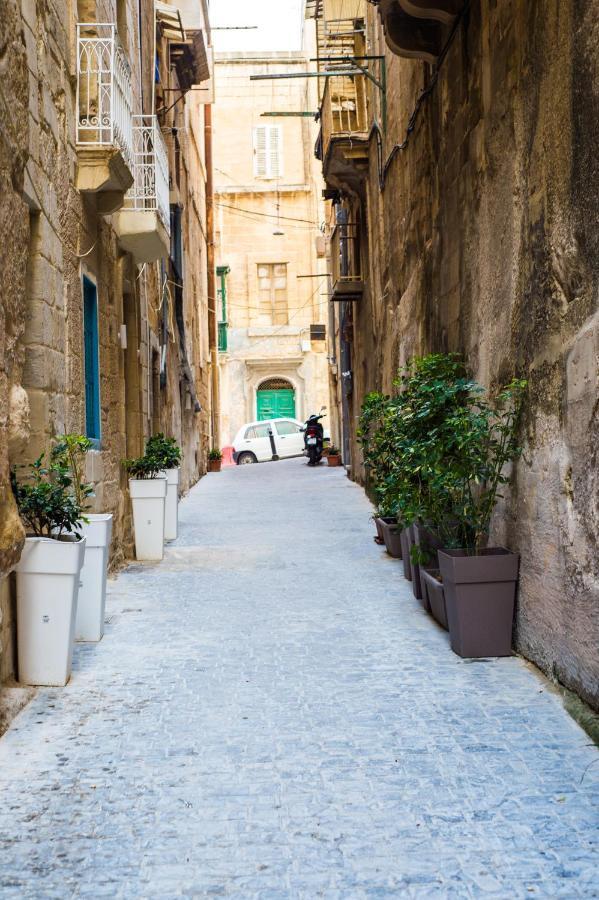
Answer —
53 234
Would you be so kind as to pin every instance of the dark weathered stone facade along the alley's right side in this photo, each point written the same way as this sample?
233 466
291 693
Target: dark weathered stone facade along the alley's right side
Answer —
479 234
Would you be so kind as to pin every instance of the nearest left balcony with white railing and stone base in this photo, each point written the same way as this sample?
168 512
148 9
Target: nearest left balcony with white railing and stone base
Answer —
104 116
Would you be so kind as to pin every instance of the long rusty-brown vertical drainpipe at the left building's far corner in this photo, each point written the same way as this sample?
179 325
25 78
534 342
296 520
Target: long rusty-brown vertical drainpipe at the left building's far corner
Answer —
212 311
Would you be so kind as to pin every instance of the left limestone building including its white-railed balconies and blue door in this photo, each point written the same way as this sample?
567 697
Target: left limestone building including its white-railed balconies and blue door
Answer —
106 328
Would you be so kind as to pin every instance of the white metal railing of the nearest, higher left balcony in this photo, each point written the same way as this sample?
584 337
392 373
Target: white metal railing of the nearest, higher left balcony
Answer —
104 95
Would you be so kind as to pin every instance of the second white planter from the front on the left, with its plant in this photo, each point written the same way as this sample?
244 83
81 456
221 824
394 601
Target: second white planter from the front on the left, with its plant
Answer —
96 528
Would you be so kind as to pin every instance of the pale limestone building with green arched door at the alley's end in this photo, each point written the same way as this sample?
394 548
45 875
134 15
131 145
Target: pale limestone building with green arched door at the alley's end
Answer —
271 274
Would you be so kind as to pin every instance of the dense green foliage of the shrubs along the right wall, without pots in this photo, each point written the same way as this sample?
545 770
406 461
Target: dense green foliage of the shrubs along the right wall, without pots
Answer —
436 451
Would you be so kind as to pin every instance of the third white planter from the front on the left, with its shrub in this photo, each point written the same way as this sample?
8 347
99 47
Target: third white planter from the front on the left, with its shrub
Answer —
147 489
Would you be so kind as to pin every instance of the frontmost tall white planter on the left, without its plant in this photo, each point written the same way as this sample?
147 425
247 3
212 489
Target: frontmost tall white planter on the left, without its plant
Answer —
47 585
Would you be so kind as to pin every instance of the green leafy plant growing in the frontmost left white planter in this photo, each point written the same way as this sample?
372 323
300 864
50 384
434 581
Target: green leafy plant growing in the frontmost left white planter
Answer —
46 500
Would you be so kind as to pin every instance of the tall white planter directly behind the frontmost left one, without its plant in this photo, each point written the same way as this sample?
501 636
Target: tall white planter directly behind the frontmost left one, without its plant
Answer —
89 625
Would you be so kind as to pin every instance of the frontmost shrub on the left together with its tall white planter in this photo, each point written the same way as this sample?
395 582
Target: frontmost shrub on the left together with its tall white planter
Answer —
47 573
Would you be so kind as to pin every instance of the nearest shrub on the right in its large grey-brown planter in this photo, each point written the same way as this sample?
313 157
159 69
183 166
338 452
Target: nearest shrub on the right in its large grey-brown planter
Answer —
480 581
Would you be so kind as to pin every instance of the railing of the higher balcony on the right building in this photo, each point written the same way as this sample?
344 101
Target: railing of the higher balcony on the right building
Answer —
343 111
